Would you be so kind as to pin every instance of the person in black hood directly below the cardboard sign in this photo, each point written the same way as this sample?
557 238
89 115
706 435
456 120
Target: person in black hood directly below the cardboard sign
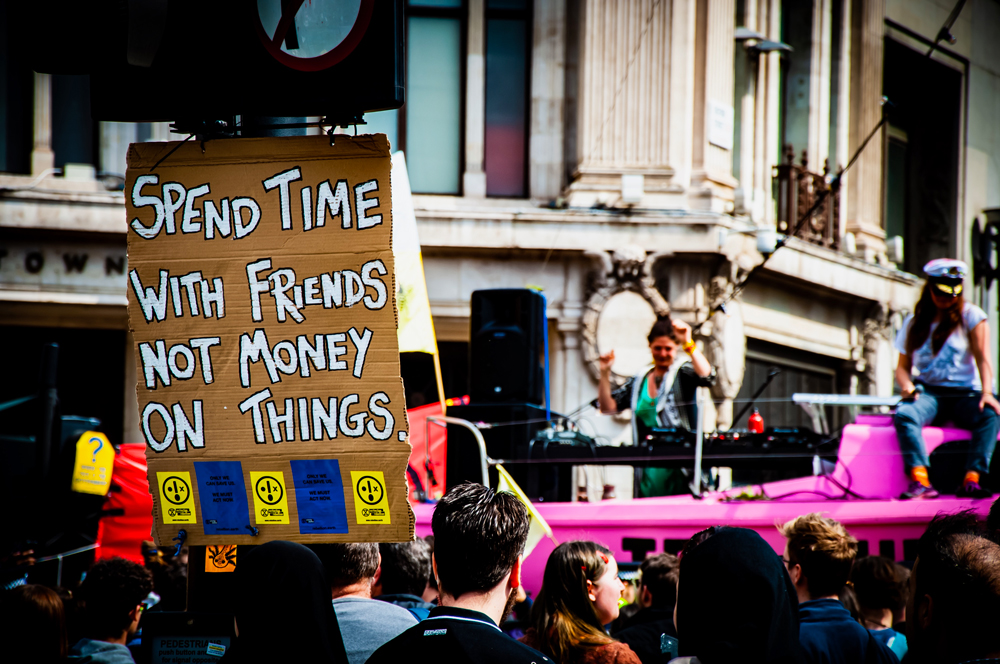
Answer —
282 607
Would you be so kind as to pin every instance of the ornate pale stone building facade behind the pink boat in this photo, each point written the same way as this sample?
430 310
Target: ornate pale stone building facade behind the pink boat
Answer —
589 147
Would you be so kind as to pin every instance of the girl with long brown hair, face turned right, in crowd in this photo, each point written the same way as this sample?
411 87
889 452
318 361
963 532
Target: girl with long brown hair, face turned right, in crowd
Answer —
579 595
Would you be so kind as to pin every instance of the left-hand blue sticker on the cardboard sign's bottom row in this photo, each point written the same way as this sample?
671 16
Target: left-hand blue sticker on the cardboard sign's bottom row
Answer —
223 497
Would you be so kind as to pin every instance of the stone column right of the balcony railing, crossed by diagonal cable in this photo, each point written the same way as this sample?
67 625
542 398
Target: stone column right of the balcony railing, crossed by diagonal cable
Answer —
864 181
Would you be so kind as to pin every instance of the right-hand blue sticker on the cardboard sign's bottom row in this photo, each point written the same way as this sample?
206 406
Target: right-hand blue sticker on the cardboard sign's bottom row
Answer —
319 496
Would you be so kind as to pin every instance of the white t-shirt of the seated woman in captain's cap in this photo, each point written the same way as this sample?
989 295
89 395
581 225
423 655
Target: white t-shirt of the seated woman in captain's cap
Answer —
954 365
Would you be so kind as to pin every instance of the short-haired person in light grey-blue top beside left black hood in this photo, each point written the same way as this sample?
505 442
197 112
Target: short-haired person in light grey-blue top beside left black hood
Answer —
366 623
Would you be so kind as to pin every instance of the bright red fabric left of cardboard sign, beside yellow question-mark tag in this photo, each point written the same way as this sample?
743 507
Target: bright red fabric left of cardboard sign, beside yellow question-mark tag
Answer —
124 534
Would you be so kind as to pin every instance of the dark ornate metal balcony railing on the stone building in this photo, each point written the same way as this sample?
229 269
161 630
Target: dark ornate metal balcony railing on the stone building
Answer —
797 191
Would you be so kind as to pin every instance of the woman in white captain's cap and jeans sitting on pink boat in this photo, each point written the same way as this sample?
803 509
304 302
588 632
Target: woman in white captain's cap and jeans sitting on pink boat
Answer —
946 339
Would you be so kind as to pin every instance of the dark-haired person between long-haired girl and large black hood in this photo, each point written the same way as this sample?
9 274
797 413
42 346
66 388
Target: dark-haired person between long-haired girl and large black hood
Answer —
657 595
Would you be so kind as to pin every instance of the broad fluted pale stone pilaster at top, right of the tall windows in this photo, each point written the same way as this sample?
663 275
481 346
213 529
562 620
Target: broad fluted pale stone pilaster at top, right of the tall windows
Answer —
627 99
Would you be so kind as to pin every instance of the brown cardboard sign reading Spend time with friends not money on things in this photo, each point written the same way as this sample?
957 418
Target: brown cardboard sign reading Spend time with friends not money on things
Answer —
262 304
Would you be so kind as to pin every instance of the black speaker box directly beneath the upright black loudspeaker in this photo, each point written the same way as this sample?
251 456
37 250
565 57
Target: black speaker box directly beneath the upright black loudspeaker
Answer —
514 425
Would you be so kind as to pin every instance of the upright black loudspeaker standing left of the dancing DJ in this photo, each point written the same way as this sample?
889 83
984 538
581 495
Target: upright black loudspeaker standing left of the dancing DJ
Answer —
507 349
